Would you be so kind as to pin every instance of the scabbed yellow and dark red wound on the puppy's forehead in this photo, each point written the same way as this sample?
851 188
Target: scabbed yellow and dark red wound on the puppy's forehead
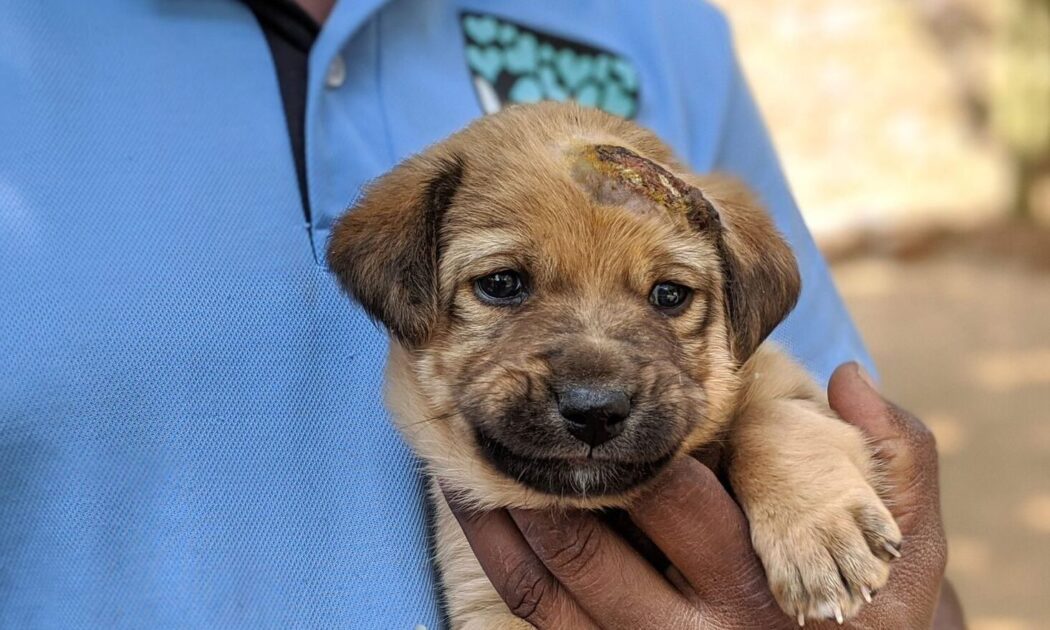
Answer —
615 176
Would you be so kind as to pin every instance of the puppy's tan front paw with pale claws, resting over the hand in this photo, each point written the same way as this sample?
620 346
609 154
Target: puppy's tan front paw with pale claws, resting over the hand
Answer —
826 560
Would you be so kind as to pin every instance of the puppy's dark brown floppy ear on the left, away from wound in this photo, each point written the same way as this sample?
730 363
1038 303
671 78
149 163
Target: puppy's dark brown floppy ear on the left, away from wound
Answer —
385 251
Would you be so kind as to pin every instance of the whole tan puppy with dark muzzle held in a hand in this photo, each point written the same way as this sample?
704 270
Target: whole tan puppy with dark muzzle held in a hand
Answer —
572 310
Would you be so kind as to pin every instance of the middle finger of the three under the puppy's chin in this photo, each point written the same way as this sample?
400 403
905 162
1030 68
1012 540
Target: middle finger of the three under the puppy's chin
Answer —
604 575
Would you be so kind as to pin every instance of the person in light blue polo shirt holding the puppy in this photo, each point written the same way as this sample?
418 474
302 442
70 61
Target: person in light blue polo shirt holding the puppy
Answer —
192 423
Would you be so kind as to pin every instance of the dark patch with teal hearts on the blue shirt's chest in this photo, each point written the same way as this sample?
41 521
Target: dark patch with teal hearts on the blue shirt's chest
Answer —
513 64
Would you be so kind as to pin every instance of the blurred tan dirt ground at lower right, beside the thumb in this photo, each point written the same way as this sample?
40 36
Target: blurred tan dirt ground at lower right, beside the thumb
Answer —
960 328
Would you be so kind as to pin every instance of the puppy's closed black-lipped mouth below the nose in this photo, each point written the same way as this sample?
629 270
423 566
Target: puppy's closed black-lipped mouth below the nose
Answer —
576 477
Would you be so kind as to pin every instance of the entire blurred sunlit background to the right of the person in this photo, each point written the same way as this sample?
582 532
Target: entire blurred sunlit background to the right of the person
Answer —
916 135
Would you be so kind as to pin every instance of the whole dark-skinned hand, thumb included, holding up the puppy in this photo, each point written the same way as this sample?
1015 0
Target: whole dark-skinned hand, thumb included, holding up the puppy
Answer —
570 571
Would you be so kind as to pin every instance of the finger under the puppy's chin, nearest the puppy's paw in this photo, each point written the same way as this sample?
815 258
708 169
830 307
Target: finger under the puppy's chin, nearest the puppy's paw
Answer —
702 531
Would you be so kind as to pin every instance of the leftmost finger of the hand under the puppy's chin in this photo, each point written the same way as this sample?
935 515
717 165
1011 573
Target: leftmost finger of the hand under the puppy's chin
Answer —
518 576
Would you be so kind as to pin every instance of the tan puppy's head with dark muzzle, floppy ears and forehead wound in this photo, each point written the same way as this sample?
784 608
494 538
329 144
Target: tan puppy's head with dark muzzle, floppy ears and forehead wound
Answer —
573 307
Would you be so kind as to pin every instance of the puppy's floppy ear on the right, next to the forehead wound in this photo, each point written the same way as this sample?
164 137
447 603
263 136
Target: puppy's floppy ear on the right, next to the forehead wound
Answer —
761 276
